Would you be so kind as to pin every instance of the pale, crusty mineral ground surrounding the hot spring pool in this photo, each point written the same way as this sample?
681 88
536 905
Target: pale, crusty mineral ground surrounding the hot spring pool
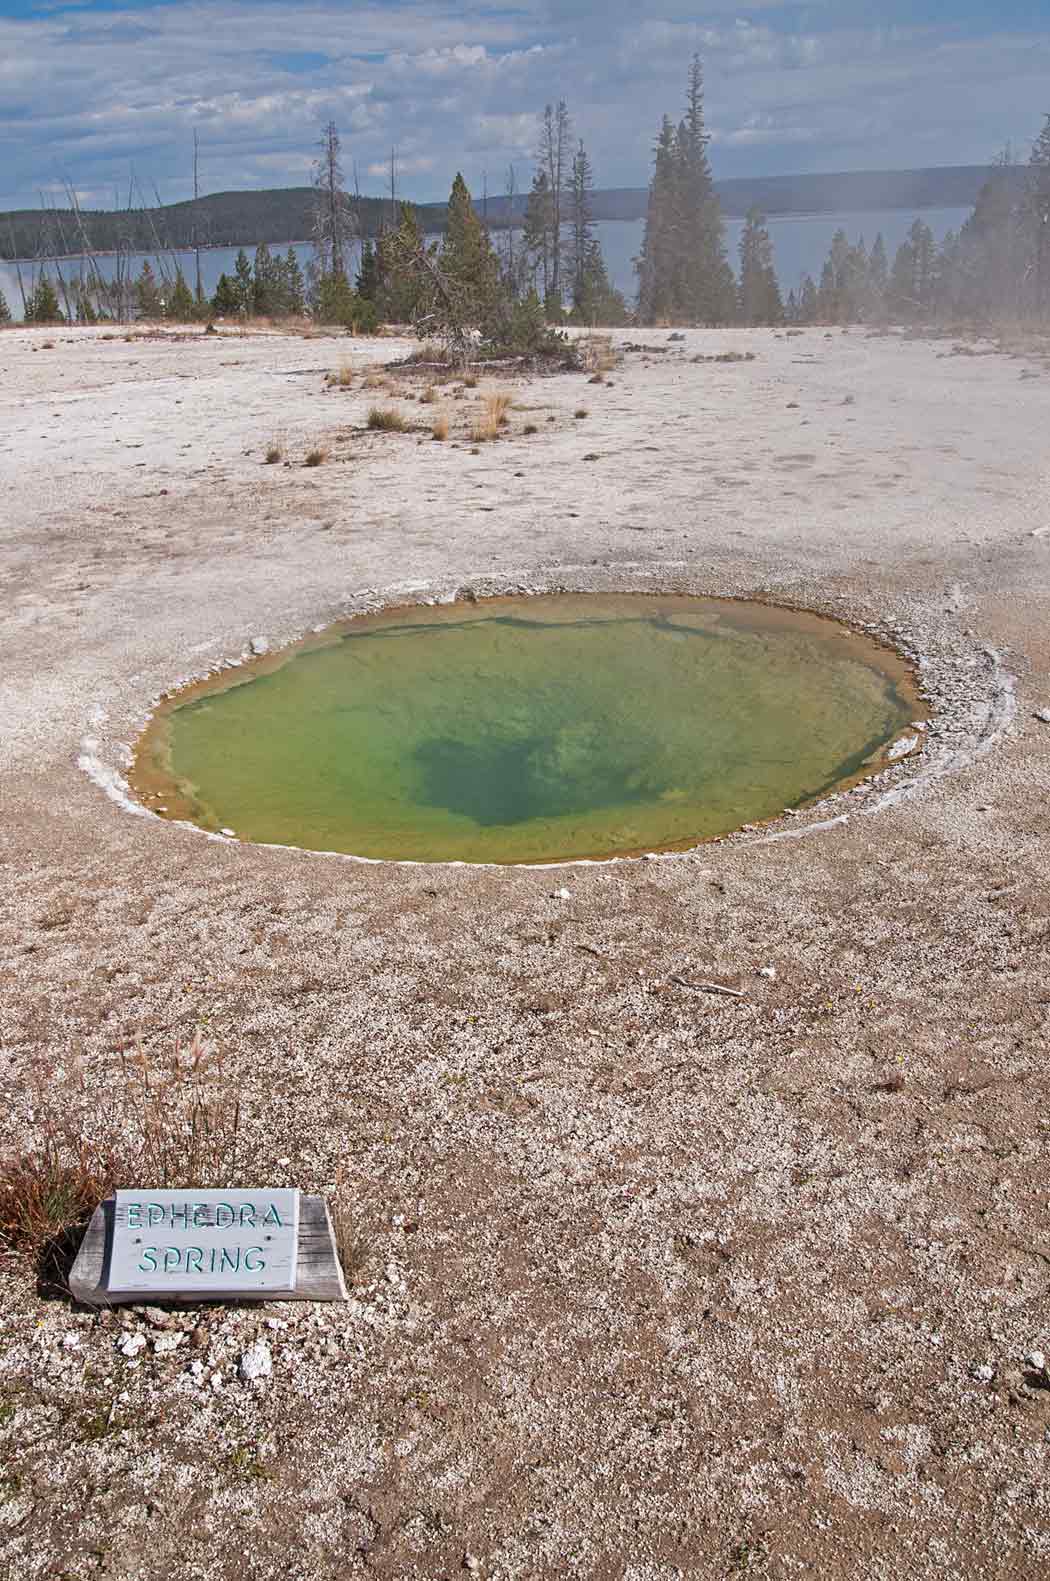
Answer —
651 1283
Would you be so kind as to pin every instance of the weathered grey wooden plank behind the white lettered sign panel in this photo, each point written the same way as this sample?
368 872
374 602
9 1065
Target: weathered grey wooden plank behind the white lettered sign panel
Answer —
319 1272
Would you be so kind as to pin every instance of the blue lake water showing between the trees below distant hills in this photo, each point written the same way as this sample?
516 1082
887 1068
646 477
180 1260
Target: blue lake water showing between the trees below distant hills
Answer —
801 246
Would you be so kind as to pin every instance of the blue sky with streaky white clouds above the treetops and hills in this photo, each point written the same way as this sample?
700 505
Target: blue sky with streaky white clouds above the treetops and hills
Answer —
96 92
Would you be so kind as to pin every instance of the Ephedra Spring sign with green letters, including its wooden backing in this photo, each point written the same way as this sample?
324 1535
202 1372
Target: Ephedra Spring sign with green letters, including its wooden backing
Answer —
210 1245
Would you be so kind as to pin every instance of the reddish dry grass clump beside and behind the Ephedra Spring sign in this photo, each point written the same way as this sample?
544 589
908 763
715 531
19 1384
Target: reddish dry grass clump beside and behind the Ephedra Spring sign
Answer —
173 1123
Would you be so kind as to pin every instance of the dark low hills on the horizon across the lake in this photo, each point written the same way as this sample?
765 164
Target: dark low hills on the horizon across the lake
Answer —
282 214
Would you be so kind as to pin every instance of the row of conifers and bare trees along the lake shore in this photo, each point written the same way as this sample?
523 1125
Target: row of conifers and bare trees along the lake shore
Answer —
513 289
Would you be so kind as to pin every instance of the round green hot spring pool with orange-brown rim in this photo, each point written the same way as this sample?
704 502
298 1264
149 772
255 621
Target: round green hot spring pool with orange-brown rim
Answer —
532 730
